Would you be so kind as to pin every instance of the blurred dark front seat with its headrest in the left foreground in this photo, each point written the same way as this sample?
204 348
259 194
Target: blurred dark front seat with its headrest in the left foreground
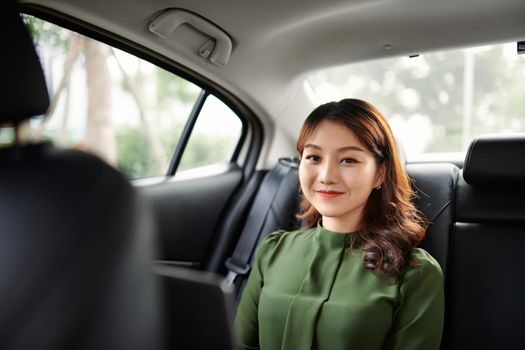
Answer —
75 240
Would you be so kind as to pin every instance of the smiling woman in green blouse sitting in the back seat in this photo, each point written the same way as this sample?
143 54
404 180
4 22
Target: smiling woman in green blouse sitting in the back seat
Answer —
352 278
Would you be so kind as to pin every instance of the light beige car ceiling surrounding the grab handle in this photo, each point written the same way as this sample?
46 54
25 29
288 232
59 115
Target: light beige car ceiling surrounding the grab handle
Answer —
275 43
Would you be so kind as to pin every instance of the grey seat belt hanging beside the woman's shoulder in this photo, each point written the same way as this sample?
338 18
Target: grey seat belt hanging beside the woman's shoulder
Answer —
239 262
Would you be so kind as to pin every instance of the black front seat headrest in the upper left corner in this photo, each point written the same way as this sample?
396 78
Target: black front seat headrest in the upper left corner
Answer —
23 88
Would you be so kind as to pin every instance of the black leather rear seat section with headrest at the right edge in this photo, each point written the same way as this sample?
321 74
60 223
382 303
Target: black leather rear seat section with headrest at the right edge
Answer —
485 287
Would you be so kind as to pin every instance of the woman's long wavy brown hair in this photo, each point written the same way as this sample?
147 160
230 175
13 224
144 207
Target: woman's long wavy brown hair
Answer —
391 226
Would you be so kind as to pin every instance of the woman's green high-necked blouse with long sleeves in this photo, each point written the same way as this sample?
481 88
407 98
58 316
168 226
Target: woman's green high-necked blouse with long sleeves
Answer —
307 290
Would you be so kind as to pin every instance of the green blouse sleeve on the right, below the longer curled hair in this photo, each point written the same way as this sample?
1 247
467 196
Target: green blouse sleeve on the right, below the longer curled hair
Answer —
418 319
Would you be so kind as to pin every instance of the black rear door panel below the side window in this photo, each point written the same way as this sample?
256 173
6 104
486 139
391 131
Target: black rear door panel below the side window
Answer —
188 213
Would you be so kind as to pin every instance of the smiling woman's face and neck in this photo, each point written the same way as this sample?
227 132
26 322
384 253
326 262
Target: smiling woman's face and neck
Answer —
337 175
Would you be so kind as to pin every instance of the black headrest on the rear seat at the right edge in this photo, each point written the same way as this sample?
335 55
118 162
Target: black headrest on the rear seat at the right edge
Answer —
496 161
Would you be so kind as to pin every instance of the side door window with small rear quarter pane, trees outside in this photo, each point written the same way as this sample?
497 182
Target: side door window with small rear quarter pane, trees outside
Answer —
126 110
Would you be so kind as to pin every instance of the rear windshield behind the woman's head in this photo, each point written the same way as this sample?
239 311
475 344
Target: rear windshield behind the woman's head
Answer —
438 102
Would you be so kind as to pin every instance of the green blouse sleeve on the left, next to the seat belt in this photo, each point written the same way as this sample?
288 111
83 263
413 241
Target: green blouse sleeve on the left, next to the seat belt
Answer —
246 325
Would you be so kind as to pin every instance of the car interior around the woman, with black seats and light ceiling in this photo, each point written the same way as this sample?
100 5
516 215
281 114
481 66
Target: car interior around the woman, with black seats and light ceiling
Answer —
79 236
